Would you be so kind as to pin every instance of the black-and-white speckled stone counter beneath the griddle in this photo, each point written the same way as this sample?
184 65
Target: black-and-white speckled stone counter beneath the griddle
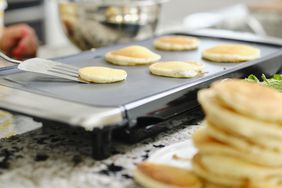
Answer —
56 158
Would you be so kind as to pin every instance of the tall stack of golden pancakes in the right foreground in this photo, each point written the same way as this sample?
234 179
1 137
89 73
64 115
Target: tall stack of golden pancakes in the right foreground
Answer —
240 144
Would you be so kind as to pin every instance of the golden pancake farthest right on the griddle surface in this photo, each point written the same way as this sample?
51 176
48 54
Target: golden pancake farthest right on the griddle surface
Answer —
231 53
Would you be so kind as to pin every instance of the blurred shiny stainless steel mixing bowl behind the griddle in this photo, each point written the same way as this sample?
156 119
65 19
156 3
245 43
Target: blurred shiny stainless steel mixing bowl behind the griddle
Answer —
97 23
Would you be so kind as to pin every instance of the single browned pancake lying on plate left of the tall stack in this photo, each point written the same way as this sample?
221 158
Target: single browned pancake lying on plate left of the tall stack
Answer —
152 175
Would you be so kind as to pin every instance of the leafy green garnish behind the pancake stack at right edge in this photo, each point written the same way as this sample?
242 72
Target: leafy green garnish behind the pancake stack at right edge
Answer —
274 82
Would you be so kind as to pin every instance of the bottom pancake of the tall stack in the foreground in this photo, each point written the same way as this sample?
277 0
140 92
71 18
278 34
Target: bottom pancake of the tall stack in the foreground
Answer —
232 172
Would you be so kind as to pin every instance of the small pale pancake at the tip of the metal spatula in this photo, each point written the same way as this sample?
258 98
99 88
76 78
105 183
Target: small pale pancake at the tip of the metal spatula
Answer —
102 74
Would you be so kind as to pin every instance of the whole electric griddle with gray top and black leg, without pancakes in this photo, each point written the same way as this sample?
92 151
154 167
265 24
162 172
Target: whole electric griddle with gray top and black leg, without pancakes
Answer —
138 107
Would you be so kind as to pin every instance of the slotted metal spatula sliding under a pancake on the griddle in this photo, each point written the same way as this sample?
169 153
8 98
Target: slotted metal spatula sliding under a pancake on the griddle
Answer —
47 67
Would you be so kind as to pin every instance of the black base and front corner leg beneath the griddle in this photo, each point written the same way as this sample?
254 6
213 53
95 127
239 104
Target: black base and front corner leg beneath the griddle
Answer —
101 140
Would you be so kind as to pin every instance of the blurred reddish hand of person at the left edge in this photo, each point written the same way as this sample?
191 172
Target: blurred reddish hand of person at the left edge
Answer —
18 41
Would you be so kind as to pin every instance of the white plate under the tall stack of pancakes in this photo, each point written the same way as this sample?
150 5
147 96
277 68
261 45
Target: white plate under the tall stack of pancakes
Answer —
183 150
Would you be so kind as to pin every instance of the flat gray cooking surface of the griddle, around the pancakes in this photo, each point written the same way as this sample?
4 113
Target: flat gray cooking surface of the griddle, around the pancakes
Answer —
138 85
